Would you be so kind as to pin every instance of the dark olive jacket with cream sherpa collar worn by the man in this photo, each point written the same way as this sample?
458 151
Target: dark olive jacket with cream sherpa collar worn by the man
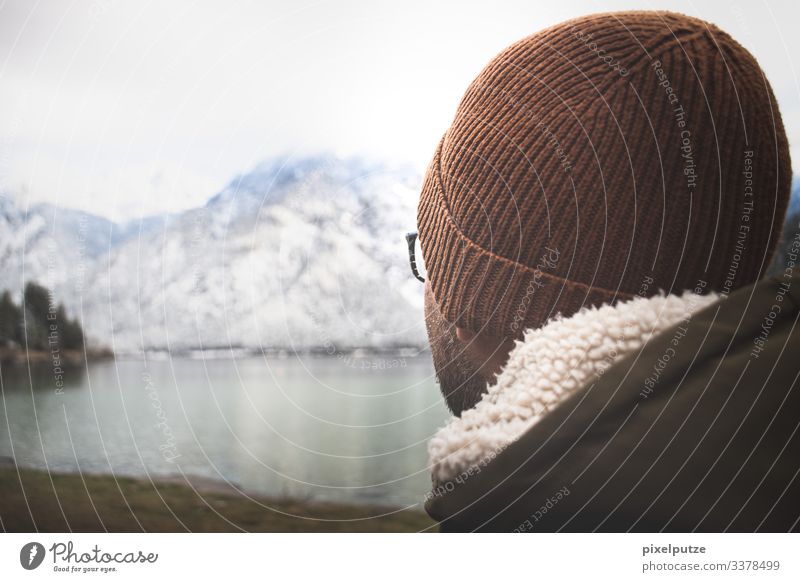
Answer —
668 413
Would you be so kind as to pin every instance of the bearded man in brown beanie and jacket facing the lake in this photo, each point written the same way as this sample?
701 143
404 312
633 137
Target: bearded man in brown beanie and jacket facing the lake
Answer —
596 225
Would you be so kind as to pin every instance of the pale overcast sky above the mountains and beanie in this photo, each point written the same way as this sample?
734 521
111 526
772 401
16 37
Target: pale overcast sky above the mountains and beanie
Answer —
132 108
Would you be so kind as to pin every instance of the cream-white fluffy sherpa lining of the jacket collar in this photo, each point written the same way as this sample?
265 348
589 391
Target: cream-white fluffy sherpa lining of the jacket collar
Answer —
548 365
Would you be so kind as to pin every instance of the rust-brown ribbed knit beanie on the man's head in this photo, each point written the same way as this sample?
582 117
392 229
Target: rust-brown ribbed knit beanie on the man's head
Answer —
606 157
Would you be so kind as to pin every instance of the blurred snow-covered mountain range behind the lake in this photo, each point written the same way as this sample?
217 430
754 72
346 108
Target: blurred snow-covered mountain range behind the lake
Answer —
294 254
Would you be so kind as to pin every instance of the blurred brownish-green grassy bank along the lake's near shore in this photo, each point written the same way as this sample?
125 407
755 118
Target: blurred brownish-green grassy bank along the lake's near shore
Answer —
37 501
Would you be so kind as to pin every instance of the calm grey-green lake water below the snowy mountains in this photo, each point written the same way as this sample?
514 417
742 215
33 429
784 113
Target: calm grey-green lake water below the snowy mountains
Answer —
312 427
